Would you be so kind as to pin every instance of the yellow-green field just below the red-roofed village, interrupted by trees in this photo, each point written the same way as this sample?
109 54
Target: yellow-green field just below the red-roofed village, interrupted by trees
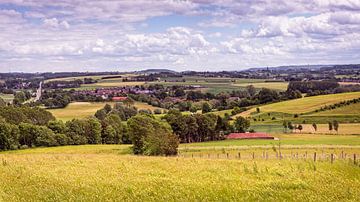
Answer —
85 109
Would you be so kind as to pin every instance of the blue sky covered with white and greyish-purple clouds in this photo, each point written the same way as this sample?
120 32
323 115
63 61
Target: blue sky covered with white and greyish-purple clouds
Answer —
200 35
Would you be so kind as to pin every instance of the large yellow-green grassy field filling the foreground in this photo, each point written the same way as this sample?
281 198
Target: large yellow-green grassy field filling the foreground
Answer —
100 172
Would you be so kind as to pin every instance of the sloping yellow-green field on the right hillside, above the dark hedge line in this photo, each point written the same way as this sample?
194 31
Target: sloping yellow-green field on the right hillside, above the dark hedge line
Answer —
308 104
